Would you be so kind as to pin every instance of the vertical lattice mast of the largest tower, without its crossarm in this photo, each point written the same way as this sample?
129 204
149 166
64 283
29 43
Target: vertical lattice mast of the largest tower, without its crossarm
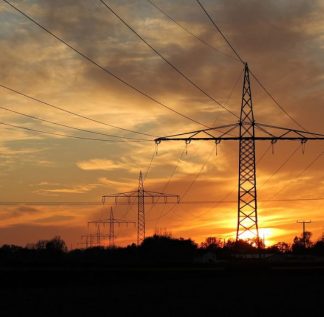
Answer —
247 218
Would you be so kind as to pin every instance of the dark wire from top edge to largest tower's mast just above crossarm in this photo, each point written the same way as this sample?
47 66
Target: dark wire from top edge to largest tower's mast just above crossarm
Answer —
166 60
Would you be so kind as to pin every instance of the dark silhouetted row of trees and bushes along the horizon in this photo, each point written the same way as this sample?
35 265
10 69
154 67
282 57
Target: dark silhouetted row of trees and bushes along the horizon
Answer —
154 249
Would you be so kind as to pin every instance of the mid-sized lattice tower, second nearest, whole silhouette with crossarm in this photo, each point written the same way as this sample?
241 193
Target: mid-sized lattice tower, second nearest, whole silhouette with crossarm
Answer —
142 197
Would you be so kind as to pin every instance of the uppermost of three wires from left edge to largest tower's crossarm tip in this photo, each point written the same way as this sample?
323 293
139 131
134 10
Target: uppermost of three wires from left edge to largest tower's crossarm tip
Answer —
71 112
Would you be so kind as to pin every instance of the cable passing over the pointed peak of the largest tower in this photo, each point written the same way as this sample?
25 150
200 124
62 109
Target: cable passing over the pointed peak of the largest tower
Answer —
242 61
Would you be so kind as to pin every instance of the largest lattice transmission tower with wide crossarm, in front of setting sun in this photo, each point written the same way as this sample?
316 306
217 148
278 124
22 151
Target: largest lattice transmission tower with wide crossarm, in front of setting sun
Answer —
247 212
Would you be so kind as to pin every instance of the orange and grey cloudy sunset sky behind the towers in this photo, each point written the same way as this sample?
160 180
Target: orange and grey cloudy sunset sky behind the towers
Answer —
282 41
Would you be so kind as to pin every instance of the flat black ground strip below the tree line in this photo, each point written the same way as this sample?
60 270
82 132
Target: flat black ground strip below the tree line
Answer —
243 290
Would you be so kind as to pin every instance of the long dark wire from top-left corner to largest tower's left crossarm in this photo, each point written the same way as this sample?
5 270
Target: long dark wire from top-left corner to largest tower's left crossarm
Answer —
106 70
